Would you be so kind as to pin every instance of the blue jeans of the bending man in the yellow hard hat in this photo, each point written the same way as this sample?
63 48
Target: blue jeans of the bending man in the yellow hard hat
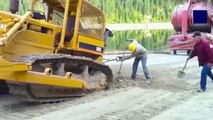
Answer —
135 67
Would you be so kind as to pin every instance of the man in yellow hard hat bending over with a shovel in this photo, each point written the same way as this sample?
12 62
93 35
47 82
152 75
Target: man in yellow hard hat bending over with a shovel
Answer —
140 53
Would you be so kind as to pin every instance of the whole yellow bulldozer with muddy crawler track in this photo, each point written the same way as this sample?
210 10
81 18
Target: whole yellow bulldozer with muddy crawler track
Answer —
53 55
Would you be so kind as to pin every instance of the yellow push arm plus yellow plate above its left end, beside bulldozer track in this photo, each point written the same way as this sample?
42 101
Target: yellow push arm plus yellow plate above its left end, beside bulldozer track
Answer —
19 72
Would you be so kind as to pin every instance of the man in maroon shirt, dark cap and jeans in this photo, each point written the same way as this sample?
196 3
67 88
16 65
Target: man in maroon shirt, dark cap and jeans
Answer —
205 58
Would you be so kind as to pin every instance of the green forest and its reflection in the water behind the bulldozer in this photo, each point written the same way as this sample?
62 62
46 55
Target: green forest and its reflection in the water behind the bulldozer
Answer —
128 11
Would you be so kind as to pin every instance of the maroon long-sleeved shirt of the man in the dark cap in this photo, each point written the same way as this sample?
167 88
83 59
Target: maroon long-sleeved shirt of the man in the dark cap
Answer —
203 51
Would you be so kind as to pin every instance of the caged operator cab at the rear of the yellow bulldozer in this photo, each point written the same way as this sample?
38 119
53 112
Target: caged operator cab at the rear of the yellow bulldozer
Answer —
82 24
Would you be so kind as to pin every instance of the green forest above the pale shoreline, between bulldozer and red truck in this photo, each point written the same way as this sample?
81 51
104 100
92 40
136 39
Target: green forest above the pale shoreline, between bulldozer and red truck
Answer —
137 11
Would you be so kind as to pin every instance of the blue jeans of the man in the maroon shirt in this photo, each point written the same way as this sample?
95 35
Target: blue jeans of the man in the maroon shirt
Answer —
206 70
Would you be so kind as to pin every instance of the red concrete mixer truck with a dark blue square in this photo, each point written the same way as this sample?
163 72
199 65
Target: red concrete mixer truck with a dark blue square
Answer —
194 15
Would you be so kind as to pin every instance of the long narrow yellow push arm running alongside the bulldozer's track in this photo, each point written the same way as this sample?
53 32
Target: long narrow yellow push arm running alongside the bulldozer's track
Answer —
42 79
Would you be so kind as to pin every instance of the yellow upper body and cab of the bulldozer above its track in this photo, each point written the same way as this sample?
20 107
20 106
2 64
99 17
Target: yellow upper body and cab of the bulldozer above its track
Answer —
74 27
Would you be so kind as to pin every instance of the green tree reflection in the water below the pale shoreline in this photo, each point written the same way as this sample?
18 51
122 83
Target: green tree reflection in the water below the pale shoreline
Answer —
157 40
